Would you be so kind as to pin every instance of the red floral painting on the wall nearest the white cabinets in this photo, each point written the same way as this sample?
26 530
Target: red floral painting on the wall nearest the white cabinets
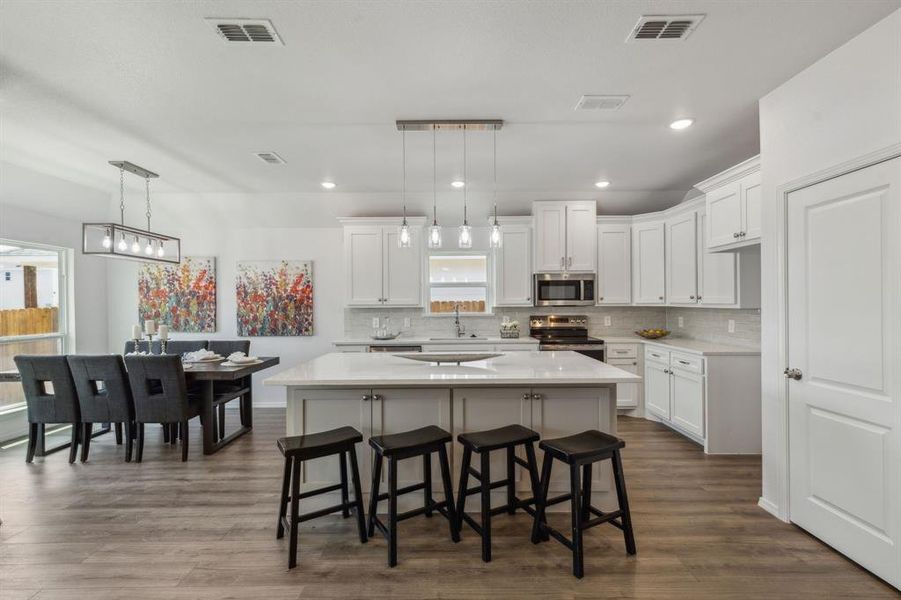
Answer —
274 298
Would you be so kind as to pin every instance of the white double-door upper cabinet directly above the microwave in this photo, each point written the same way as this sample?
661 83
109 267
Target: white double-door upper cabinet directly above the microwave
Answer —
565 236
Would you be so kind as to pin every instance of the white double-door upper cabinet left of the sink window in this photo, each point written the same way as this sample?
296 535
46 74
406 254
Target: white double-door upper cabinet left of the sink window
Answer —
377 272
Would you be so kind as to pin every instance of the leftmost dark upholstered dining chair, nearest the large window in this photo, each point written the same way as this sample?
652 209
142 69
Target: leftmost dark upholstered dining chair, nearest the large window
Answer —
50 398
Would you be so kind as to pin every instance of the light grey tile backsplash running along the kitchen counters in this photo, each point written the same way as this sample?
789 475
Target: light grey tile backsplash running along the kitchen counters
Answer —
699 323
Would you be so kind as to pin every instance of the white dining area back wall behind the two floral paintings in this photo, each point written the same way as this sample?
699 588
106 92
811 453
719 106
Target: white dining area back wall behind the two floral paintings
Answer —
230 244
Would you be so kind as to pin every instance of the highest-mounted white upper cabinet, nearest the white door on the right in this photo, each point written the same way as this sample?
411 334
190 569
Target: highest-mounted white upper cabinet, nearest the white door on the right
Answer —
733 206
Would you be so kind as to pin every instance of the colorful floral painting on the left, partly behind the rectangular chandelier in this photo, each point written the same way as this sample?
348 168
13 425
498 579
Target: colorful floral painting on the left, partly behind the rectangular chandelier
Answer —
182 296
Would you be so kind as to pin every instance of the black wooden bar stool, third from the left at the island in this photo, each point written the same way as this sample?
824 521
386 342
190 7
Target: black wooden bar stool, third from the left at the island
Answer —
482 443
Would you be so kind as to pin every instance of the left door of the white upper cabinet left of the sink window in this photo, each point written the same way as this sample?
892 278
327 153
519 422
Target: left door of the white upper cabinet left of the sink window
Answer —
363 266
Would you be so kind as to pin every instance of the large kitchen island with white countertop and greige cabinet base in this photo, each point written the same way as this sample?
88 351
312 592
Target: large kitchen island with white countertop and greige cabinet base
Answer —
554 393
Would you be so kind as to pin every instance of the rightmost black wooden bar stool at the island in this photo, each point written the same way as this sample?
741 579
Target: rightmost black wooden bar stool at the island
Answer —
582 450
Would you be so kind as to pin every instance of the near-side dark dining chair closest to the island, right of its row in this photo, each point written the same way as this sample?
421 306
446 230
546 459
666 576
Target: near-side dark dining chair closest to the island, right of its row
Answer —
161 396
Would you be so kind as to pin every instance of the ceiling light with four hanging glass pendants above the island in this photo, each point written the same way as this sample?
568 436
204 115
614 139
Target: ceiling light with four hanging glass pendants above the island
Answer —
464 239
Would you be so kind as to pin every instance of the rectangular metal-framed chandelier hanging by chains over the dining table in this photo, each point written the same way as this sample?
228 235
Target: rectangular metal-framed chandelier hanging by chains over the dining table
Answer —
117 240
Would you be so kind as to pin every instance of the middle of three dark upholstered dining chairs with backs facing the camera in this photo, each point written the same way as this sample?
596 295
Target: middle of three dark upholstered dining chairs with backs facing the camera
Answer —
104 396
